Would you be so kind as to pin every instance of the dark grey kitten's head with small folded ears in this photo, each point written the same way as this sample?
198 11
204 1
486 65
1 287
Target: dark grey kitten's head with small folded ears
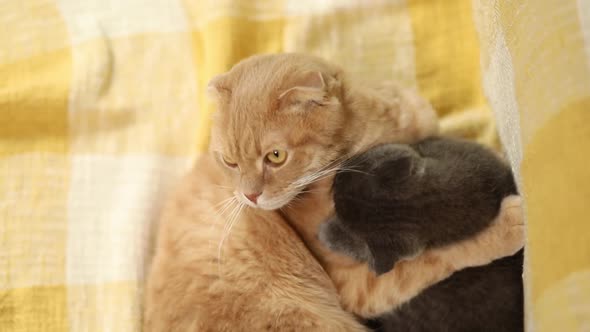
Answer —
382 179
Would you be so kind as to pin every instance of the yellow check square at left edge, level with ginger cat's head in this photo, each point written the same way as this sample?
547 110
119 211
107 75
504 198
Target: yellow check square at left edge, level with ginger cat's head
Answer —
34 103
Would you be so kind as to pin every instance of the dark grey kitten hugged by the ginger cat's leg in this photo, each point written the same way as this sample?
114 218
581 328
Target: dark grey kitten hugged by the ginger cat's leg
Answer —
404 199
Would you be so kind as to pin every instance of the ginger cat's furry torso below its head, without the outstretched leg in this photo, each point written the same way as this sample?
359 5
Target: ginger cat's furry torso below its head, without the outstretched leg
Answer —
262 278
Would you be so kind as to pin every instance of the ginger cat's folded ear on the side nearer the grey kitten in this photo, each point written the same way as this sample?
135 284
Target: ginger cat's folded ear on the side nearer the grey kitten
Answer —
310 89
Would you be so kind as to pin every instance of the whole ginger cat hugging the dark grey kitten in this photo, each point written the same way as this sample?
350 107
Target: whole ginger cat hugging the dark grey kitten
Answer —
228 257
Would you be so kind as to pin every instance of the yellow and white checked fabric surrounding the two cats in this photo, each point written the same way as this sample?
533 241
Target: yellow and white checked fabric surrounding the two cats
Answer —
102 108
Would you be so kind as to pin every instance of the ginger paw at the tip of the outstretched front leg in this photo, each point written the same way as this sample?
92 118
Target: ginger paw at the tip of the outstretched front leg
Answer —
510 225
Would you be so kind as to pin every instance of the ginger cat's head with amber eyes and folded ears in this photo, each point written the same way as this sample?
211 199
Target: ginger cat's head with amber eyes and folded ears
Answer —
278 123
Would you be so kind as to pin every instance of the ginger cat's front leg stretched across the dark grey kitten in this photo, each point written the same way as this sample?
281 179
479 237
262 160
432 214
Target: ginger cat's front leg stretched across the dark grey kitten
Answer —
381 294
